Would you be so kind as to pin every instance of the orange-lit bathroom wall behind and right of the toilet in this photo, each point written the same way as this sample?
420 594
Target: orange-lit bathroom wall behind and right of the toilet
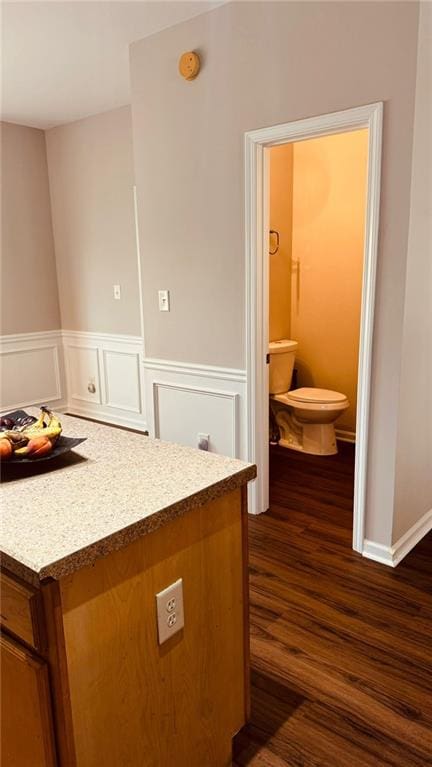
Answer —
329 200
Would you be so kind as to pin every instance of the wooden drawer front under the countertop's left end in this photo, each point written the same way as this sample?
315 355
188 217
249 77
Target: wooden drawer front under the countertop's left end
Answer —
21 610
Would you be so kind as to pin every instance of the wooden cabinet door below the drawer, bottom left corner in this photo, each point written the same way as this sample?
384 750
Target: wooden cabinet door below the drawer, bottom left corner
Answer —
27 734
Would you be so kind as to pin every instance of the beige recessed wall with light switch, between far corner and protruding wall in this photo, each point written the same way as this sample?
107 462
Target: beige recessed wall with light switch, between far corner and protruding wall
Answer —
91 182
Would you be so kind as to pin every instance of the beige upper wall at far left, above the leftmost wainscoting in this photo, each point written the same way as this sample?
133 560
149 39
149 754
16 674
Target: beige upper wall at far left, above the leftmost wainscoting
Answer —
29 296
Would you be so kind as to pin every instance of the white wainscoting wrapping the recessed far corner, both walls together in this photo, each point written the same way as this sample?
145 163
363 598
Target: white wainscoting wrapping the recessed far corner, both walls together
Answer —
56 368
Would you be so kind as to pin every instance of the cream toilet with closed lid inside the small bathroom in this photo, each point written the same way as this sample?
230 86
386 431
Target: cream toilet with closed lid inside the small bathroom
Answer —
305 416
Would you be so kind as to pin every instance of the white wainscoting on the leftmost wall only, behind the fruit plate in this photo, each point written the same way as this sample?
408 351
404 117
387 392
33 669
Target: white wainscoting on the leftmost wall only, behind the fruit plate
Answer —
32 370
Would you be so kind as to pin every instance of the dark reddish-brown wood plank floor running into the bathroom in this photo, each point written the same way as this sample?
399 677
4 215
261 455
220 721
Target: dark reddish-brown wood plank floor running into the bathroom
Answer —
341 647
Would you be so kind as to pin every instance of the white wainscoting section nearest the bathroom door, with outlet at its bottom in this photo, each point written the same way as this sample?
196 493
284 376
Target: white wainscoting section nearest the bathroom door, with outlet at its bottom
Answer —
184 400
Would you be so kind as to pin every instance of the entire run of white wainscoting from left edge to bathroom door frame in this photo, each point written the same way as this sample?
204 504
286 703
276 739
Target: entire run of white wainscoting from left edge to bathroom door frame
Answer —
174 400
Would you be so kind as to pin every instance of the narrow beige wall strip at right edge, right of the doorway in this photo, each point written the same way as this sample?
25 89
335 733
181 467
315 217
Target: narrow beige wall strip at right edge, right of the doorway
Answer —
413 492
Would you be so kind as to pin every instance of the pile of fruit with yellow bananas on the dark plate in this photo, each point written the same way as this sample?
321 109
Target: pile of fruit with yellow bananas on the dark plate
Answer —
33 440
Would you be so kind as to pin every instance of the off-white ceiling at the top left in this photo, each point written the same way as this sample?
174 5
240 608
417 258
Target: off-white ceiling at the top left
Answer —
62 61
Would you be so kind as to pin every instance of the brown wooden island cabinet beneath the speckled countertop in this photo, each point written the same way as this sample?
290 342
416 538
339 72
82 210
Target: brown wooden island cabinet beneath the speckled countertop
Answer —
95 671
